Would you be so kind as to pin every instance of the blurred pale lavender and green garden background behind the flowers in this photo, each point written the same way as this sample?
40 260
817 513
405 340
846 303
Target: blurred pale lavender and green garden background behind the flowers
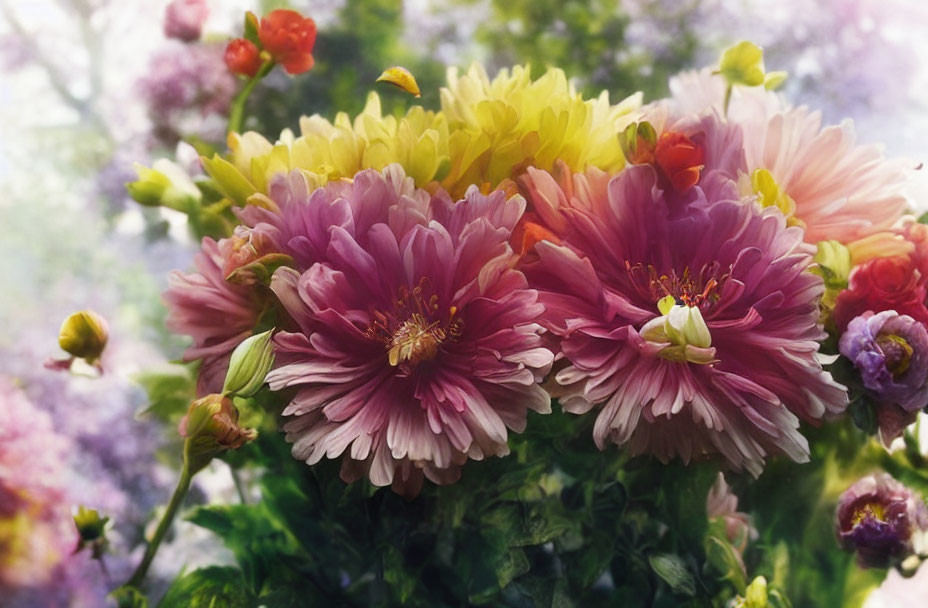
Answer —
89 87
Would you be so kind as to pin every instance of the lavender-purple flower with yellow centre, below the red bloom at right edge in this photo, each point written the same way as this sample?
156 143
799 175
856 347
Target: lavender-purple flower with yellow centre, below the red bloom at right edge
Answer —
891 352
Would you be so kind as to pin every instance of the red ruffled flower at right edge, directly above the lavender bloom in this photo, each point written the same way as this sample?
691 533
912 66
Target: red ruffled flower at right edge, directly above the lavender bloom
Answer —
883 284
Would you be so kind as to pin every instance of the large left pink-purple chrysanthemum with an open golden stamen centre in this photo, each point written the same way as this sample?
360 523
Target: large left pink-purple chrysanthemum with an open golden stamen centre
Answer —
418 344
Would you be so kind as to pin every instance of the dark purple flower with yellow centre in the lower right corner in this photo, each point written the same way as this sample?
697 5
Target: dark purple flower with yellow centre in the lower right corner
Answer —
881 519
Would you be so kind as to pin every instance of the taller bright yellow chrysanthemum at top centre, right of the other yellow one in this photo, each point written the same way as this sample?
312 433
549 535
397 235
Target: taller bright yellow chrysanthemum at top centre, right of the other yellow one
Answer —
499 127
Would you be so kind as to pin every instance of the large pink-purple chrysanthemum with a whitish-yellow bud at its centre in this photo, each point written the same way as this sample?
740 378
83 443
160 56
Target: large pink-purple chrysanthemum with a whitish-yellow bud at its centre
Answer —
726 363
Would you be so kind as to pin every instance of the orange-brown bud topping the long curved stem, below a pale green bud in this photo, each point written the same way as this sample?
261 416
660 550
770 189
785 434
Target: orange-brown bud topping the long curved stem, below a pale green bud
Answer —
210 427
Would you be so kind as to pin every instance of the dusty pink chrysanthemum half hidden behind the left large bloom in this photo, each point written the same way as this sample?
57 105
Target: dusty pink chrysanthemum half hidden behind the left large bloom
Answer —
217 313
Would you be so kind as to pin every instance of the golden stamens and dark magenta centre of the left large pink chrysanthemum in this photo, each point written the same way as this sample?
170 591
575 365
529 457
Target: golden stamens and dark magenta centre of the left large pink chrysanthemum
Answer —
417 327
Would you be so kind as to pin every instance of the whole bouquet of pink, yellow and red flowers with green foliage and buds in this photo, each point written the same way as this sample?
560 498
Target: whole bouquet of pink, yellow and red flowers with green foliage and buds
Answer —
533 349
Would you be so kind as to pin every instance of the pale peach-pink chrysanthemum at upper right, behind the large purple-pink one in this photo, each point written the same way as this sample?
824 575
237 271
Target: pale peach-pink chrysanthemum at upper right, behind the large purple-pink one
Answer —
842 191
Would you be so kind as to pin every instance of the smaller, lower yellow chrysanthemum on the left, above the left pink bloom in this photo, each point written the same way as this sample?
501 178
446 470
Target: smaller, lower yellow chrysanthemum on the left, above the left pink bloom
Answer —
418 141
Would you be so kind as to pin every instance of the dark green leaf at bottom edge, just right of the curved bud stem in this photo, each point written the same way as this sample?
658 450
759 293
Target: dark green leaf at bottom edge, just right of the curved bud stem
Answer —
213 587
